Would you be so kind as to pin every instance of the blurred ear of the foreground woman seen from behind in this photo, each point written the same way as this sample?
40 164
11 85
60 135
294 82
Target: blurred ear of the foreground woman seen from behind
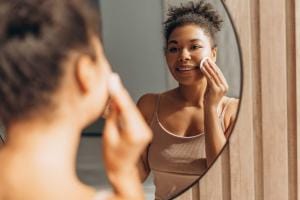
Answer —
85 73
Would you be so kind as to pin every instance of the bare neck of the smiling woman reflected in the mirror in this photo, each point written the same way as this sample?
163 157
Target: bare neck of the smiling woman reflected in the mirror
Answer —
192 94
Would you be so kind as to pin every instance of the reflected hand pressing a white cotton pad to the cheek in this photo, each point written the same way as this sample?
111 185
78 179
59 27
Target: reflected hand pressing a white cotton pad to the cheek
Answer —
217 85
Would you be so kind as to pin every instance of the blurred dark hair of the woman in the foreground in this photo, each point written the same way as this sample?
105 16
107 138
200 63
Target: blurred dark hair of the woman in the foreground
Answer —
36 37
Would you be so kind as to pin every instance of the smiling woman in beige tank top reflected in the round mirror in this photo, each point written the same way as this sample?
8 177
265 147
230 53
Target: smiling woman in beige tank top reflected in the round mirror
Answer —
191 122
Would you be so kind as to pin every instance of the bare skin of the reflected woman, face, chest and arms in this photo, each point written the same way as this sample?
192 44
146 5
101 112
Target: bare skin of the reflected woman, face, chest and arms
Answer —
200 91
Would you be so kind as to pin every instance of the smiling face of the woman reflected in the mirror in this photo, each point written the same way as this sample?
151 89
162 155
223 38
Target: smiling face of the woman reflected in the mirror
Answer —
186 47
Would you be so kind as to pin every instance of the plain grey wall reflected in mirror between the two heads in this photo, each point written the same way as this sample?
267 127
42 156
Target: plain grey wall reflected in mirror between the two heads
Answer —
133 44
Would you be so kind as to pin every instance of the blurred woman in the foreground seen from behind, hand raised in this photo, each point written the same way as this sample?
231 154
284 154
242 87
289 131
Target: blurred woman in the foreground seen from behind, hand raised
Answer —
54 81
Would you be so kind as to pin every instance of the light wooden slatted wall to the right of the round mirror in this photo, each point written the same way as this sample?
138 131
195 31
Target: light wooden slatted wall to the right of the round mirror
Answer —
263 158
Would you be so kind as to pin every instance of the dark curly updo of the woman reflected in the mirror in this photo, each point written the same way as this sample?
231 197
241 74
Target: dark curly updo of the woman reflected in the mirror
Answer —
201 13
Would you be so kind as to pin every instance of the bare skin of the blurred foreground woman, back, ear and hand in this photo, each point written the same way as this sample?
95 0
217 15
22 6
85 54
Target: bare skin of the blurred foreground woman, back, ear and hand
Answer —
39 157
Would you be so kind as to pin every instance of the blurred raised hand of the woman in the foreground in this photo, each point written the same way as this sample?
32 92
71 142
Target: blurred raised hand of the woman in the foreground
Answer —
126 136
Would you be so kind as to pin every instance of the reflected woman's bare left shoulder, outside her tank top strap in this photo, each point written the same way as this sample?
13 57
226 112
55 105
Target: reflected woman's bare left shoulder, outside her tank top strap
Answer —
146 105
